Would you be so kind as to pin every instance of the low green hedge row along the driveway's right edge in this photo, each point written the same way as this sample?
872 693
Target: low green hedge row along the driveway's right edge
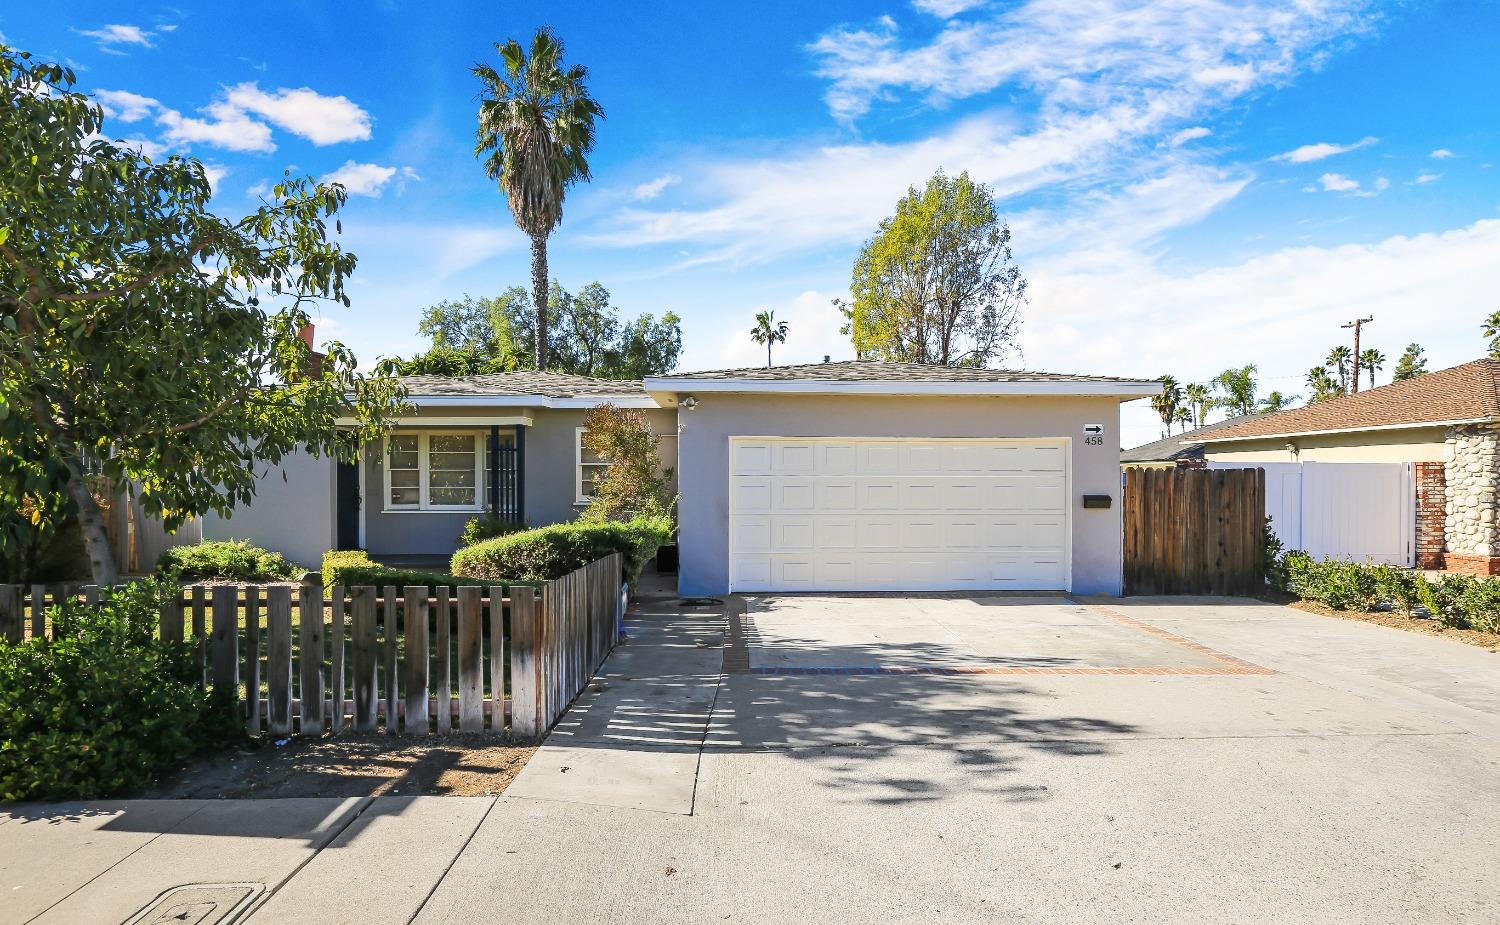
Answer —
1456 600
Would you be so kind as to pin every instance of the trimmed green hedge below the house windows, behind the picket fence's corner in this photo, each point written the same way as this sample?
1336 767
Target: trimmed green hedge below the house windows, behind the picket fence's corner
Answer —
551 552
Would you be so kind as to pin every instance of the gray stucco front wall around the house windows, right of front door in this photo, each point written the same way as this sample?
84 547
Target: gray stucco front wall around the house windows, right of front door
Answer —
550 494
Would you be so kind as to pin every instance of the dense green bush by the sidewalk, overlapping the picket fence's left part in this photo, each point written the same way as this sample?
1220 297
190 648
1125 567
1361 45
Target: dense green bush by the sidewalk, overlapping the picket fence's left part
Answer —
106 705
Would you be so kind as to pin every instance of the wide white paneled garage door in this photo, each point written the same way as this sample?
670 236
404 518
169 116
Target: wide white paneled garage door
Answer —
878 515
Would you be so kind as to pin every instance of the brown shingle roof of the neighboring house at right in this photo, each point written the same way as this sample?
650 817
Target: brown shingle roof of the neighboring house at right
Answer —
1462 394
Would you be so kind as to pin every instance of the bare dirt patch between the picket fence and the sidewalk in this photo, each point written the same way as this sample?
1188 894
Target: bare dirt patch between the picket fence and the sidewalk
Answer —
353 765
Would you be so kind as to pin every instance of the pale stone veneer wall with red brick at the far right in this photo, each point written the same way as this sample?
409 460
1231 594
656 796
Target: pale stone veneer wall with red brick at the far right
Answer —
1472 471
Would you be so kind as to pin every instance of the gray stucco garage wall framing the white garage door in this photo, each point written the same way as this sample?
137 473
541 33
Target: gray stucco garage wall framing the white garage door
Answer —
704 462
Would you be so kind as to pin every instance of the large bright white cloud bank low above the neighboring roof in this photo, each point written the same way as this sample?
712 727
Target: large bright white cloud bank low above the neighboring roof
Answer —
1280 311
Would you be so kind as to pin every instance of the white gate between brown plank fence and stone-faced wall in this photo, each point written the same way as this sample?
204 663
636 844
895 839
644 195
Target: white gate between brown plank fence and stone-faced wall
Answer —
1361 512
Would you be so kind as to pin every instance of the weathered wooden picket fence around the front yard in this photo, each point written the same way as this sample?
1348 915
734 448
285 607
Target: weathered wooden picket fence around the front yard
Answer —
418 660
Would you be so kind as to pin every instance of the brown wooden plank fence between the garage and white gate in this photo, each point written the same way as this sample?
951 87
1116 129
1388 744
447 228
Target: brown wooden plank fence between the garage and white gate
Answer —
1195 531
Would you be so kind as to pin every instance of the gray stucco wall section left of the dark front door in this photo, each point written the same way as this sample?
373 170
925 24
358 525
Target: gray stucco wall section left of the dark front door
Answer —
292 516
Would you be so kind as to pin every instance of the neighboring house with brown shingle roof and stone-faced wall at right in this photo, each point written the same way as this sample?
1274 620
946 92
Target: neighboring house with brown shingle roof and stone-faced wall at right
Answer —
1447 424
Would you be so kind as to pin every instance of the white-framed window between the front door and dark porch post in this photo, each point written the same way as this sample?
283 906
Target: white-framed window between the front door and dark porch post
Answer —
436 471
